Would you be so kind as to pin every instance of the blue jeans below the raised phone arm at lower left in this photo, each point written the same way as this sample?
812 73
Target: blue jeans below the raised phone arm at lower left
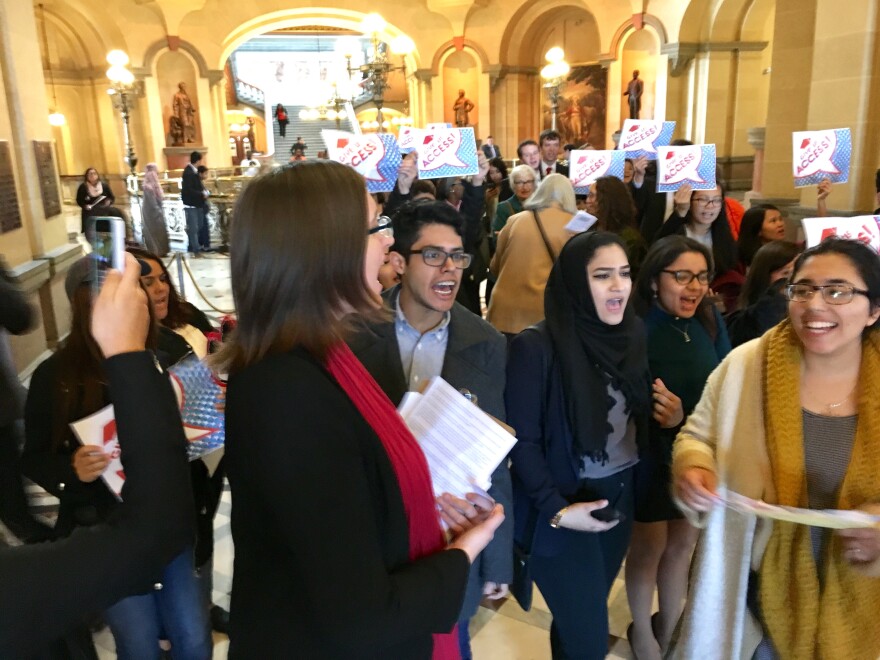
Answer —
176 612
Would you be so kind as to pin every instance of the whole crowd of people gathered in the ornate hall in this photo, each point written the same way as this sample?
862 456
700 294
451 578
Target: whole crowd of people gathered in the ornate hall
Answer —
677 350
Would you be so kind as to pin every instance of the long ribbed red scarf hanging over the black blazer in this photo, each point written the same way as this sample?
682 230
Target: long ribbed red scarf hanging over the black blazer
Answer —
408 461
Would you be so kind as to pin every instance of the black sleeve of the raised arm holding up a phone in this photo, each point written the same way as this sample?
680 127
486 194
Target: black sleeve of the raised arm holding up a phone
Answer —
48 587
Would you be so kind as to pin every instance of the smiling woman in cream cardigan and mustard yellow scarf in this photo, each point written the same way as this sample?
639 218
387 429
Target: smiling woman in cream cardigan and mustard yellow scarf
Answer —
790 418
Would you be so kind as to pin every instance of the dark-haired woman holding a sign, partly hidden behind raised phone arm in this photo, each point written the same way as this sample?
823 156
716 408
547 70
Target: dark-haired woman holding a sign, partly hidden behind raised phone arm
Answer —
66 387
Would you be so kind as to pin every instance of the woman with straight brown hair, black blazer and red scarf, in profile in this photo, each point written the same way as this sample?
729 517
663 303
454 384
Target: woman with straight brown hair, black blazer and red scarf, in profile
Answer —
339 551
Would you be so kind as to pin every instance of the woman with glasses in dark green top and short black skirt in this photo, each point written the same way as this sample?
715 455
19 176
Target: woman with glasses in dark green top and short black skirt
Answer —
686 341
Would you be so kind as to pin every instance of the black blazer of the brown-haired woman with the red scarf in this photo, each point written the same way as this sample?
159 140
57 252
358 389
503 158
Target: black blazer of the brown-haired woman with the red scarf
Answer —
321 538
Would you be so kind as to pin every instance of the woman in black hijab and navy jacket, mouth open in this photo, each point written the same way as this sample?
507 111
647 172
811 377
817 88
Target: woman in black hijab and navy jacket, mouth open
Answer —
578 437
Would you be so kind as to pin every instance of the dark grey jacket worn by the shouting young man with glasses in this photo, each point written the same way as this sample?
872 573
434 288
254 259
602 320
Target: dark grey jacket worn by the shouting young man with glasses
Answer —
476 356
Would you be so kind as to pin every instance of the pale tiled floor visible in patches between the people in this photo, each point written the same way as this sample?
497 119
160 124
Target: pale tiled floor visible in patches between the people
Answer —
507 633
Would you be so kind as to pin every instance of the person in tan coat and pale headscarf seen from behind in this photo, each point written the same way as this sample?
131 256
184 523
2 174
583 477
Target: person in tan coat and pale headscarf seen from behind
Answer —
525 255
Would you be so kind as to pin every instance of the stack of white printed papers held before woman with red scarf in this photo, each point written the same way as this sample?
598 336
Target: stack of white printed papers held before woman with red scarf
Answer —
463 445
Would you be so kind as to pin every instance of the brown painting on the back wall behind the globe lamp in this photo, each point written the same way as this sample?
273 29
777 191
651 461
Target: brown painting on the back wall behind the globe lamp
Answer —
580 118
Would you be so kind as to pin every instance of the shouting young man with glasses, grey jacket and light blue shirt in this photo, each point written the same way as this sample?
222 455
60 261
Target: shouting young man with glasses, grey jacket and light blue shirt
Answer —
432 335
